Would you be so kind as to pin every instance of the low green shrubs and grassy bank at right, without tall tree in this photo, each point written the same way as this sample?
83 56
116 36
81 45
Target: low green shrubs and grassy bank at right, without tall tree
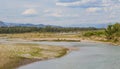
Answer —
100 36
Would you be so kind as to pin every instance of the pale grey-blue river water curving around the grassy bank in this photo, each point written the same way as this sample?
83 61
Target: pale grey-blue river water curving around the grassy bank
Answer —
92 55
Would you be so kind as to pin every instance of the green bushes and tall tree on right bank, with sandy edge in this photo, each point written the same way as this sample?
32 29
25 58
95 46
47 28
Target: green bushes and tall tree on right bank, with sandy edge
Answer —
111 34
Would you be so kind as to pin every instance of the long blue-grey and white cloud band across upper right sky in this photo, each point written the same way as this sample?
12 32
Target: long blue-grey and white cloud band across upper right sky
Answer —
106 5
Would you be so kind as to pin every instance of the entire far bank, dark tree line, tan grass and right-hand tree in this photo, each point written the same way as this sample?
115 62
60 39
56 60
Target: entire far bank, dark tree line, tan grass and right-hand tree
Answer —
111 33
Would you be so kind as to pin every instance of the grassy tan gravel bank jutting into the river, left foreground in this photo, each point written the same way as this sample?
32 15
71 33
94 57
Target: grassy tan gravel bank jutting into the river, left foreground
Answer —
15 55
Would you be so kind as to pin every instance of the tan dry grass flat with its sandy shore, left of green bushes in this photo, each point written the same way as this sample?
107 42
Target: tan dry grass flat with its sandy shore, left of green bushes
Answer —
36 36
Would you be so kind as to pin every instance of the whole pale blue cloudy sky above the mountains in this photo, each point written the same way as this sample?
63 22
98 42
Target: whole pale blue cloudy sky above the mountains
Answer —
60 12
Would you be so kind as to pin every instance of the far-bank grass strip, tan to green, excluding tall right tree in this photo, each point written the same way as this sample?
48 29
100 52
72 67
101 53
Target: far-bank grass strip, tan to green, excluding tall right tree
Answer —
69 37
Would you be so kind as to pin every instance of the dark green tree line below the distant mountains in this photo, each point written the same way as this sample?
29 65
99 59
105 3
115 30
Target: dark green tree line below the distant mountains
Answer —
43 29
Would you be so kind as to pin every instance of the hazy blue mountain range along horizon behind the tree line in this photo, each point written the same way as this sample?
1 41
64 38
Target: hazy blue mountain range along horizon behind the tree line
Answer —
4 24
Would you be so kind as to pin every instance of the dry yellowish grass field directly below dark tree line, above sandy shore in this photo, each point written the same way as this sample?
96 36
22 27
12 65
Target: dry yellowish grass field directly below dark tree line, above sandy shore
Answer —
39 35
